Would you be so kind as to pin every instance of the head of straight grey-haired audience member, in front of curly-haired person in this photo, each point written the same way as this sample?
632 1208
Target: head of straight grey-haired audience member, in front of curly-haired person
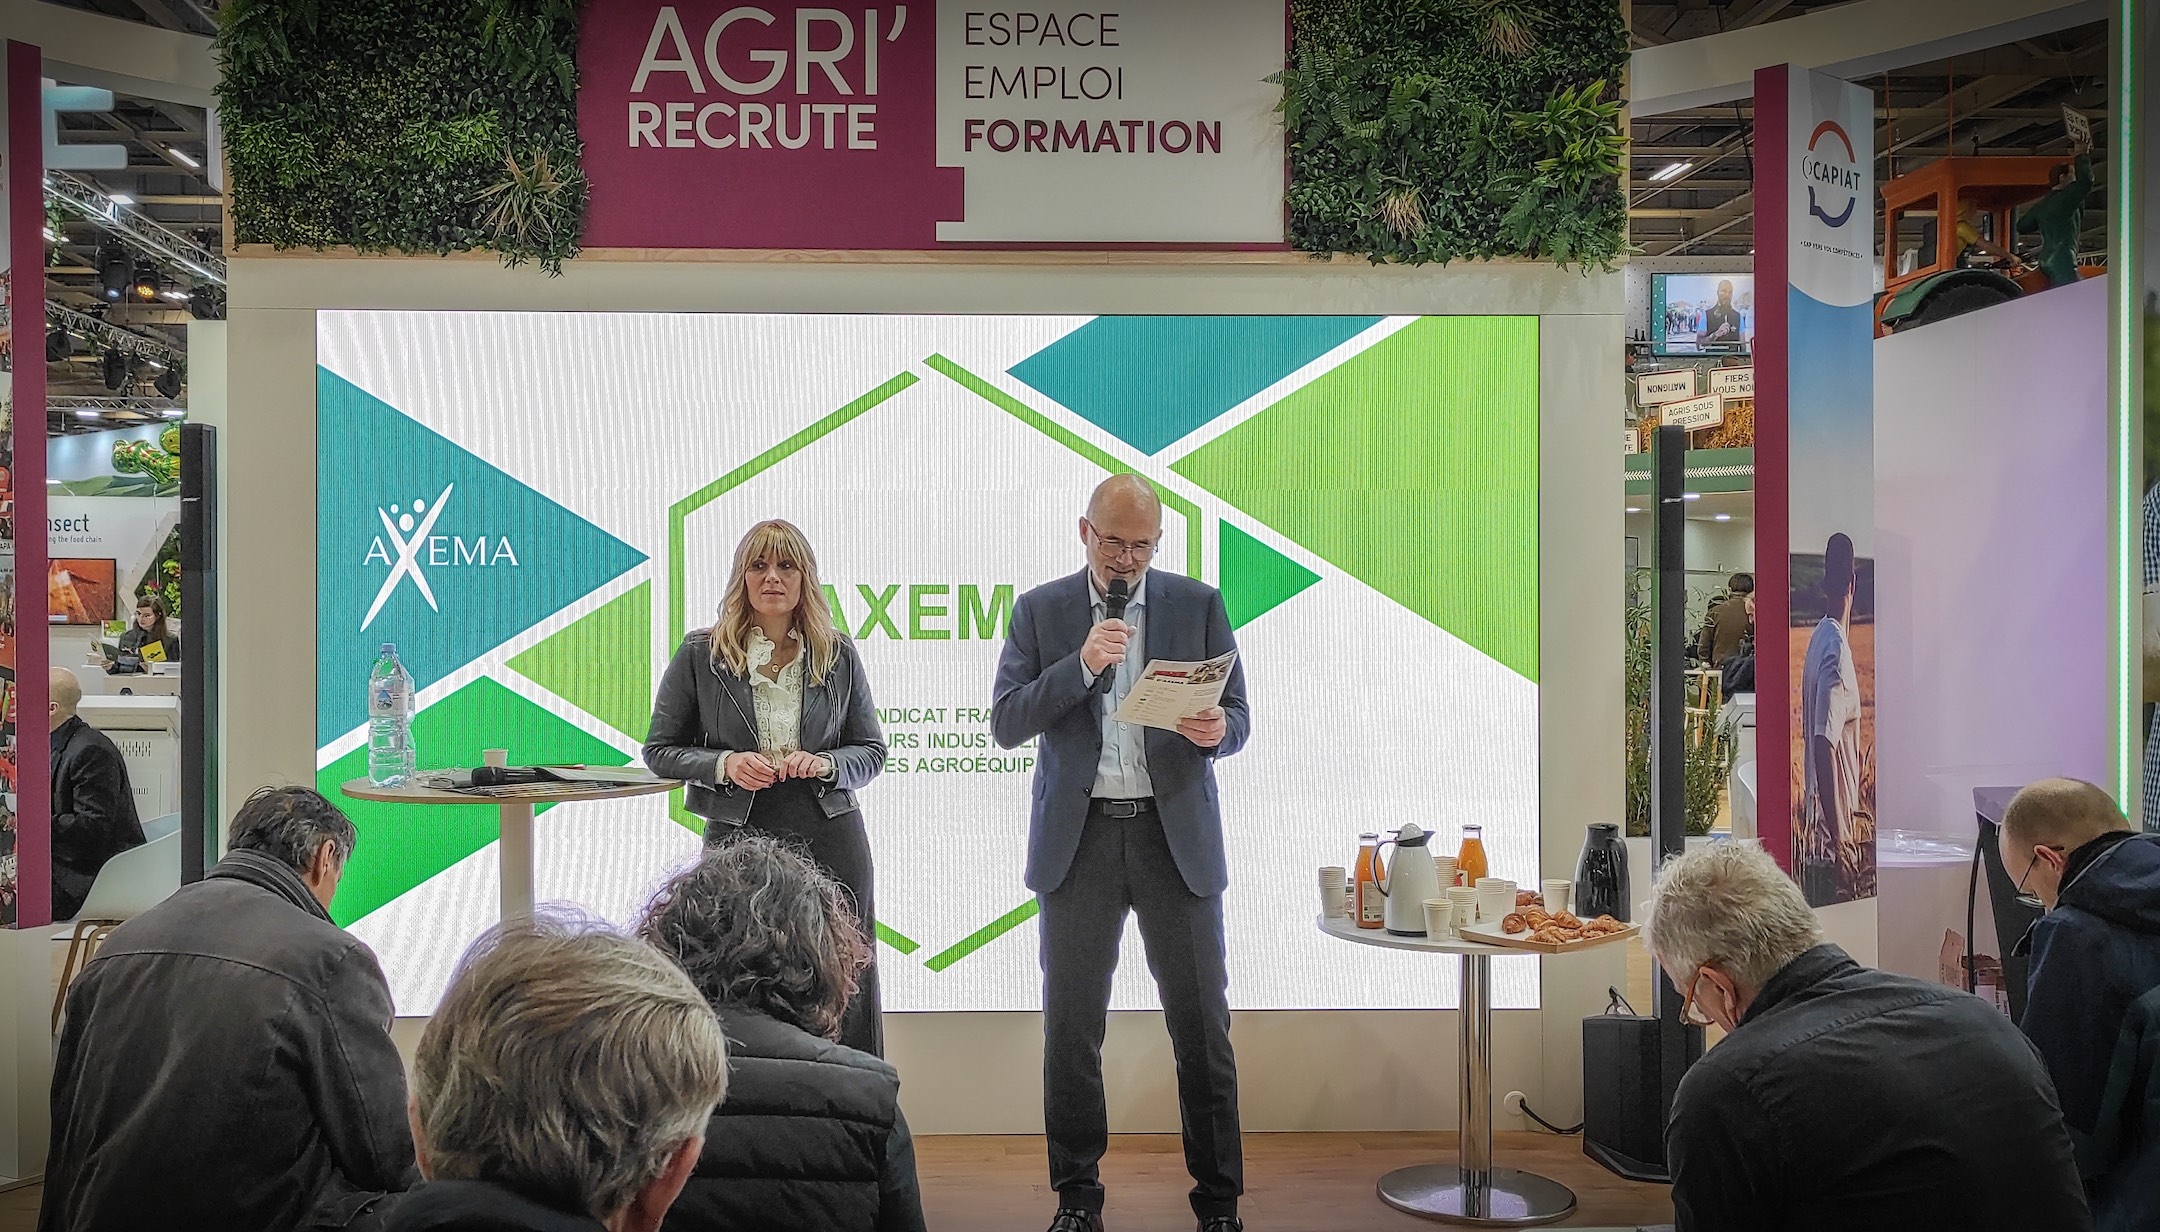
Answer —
573 1067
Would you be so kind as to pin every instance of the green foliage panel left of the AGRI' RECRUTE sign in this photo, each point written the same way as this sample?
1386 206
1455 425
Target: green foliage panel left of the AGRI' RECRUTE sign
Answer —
405 126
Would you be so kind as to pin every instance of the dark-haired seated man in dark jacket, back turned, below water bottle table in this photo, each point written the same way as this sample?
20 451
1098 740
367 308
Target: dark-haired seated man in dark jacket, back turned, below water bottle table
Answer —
228 1056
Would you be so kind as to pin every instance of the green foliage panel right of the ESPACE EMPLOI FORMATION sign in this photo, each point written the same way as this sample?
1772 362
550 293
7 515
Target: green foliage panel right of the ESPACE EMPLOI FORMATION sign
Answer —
1427 131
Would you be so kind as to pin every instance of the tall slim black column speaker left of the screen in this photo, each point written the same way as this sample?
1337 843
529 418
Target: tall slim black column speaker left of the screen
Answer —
200 675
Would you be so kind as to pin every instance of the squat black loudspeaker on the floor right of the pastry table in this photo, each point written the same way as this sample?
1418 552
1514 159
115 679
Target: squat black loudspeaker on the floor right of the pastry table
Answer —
1625 1101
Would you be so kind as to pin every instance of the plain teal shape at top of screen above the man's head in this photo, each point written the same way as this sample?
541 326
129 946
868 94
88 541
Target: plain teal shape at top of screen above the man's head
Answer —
1152 379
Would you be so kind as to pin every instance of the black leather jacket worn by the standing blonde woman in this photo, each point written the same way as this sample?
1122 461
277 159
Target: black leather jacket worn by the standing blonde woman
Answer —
705 712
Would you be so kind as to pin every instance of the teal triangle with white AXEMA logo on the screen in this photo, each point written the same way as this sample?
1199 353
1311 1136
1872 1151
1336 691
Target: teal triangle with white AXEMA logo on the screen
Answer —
424 546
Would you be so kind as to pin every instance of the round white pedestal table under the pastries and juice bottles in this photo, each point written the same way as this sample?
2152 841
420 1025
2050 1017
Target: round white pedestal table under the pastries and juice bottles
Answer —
1472 1190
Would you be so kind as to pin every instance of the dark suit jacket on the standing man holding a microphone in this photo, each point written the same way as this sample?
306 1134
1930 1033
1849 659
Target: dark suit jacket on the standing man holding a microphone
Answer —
1042 693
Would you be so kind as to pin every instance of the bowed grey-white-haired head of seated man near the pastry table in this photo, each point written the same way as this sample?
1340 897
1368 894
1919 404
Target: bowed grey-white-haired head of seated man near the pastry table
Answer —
1723 924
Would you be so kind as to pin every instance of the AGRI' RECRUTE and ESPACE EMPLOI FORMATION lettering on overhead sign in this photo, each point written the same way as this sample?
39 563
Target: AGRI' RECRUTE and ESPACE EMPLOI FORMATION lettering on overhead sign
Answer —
759 83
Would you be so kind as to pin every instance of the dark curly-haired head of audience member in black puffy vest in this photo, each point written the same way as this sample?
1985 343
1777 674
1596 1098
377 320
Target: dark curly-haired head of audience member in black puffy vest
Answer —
759 926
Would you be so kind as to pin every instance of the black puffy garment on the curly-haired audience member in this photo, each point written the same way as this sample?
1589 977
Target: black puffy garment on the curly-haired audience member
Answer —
811 1138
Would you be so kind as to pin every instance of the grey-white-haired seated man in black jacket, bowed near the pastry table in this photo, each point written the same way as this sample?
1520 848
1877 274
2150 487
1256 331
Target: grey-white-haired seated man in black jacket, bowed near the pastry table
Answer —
1844 1097
